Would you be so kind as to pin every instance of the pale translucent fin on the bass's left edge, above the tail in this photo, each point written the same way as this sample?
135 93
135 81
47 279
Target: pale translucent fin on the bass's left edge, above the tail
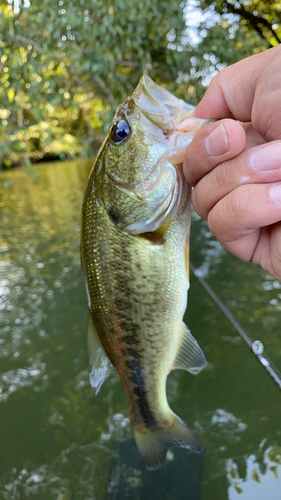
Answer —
99 364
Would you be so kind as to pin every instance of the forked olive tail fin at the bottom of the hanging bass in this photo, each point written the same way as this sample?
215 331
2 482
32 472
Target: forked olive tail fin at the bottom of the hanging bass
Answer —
153 444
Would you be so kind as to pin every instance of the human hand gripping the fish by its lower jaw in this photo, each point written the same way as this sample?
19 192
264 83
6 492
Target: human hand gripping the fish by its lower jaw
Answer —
235 167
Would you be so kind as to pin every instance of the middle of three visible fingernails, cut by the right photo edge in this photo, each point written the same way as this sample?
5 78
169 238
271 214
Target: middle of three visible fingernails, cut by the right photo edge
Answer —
266 158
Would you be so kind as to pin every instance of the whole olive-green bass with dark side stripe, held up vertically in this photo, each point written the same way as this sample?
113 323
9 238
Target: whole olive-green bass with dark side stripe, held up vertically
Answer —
134 249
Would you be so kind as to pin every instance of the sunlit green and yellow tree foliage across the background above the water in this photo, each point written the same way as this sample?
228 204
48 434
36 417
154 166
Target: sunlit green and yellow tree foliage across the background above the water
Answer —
66 65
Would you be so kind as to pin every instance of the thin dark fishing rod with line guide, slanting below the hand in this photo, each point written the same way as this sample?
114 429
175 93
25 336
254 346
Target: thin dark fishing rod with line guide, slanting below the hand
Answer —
256 347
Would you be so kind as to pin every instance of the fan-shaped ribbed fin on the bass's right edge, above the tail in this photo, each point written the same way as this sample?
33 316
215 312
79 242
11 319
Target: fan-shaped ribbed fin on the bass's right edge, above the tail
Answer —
190 356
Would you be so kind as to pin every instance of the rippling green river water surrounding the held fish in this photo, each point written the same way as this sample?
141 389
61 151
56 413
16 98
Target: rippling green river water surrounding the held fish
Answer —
59 441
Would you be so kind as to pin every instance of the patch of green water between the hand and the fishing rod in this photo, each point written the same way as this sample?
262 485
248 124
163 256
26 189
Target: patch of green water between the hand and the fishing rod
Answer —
251 294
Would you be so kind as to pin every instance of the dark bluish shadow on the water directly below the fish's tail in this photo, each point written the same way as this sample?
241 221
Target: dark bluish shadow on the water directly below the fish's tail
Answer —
180 478
